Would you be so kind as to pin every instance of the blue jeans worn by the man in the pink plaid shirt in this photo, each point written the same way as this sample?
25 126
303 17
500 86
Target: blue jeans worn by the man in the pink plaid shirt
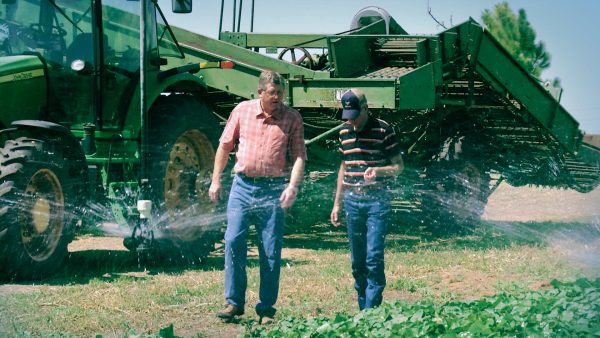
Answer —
254 202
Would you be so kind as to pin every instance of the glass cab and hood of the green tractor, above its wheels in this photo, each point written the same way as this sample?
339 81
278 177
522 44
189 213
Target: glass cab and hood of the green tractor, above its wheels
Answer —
85 53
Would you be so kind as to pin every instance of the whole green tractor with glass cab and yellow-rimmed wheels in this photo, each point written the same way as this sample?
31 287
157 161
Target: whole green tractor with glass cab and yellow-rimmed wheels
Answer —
77 144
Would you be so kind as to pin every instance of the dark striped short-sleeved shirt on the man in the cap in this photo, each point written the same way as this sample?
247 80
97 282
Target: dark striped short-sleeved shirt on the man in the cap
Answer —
374 146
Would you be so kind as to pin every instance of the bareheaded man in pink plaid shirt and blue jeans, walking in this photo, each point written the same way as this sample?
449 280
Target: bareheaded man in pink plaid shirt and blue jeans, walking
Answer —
270 147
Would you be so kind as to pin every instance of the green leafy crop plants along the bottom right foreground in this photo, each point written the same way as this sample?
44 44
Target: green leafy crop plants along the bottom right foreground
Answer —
567 310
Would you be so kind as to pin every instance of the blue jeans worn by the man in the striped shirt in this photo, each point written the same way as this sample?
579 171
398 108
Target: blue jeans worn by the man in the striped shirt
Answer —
366 217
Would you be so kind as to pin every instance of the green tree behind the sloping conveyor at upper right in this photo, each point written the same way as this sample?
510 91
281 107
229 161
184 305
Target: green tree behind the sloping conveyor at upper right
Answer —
515 33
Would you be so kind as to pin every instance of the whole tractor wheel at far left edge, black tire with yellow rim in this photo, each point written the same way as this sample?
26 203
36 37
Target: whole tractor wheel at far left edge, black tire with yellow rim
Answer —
38 190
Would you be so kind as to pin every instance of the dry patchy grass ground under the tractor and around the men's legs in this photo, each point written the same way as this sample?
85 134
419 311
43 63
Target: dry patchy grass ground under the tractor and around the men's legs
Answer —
102 290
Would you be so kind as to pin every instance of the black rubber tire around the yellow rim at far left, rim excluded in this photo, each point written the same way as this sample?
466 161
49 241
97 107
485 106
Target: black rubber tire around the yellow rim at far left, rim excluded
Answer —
19 160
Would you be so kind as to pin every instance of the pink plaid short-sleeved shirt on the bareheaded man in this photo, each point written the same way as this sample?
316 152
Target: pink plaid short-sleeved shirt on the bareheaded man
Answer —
266 147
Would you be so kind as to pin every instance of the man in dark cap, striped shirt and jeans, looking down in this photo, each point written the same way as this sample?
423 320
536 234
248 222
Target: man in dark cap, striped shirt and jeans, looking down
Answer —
370 156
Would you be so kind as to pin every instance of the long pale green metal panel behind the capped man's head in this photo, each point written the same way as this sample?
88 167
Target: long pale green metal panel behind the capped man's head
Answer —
381 93
